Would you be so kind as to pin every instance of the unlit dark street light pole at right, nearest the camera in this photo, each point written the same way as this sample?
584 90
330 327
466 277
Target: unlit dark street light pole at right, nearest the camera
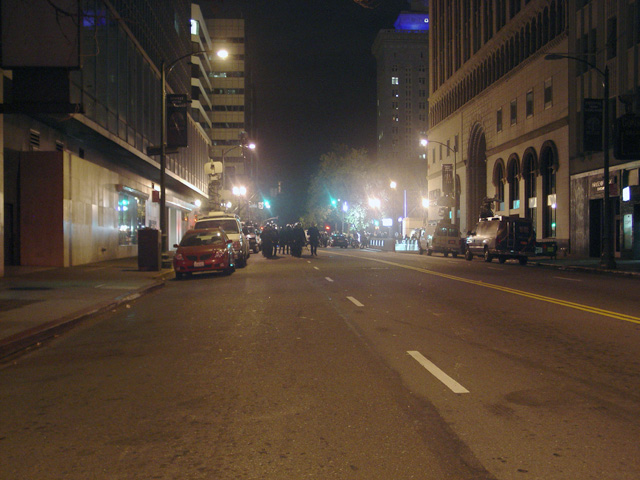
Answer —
607 259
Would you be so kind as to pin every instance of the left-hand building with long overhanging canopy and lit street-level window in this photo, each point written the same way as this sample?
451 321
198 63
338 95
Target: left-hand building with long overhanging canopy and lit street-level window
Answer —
81 179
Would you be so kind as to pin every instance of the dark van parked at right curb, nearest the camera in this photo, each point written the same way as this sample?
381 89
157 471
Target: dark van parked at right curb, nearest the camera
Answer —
503 237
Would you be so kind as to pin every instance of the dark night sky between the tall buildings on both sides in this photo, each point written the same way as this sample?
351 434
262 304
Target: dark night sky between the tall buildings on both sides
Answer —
314 78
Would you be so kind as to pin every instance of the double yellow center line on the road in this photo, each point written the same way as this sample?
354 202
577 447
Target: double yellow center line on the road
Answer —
522 293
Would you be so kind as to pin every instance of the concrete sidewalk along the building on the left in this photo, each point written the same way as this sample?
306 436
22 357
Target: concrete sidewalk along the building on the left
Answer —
37 303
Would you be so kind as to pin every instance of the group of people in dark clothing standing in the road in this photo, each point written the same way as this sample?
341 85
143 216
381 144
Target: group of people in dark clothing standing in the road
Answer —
290 239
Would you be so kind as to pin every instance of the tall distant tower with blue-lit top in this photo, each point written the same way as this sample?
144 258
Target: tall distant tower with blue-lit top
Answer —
402 105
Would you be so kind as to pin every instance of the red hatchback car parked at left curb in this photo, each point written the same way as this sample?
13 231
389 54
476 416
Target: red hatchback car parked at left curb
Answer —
204 250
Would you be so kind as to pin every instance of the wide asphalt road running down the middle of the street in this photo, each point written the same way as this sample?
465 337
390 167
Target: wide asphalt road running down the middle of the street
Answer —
353 364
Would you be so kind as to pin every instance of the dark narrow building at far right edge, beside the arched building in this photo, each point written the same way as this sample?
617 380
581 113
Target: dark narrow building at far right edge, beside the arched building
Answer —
607 34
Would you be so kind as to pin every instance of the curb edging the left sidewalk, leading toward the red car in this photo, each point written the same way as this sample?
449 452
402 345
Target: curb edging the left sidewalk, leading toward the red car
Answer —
33 337
